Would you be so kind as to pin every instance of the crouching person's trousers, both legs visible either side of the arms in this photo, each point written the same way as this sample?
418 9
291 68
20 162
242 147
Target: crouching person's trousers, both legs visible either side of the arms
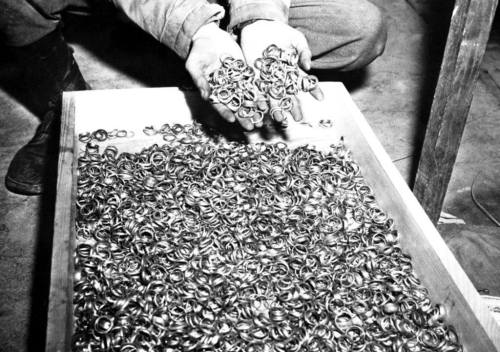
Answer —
342 34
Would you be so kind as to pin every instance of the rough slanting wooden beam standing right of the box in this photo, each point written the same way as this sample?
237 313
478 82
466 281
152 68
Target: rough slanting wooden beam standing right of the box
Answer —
469 31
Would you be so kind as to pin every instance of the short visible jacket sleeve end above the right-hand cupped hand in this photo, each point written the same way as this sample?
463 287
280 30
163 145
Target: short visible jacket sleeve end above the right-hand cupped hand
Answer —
242 11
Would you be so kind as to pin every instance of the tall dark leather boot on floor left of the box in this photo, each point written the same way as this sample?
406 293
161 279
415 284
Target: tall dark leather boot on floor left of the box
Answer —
49 69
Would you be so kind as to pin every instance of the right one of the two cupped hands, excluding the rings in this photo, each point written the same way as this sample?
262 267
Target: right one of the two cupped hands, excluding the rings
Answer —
257 36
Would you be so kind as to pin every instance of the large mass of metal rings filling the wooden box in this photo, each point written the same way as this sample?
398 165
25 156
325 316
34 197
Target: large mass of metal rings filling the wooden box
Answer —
204 246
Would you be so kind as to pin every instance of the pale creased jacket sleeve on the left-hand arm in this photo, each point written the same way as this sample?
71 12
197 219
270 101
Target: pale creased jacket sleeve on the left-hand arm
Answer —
172 22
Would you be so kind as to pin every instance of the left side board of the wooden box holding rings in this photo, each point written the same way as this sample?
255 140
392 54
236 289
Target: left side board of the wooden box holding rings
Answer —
60 311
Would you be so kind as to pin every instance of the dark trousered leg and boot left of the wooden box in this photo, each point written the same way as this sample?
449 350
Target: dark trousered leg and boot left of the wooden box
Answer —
32 31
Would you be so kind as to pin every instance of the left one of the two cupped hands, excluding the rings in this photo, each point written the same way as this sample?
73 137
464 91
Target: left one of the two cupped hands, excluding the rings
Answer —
209 44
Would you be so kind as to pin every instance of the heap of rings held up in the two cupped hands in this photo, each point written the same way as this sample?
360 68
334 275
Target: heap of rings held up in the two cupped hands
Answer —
276 76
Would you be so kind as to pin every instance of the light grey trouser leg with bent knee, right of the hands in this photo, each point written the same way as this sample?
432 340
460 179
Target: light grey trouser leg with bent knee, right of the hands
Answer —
342 34
